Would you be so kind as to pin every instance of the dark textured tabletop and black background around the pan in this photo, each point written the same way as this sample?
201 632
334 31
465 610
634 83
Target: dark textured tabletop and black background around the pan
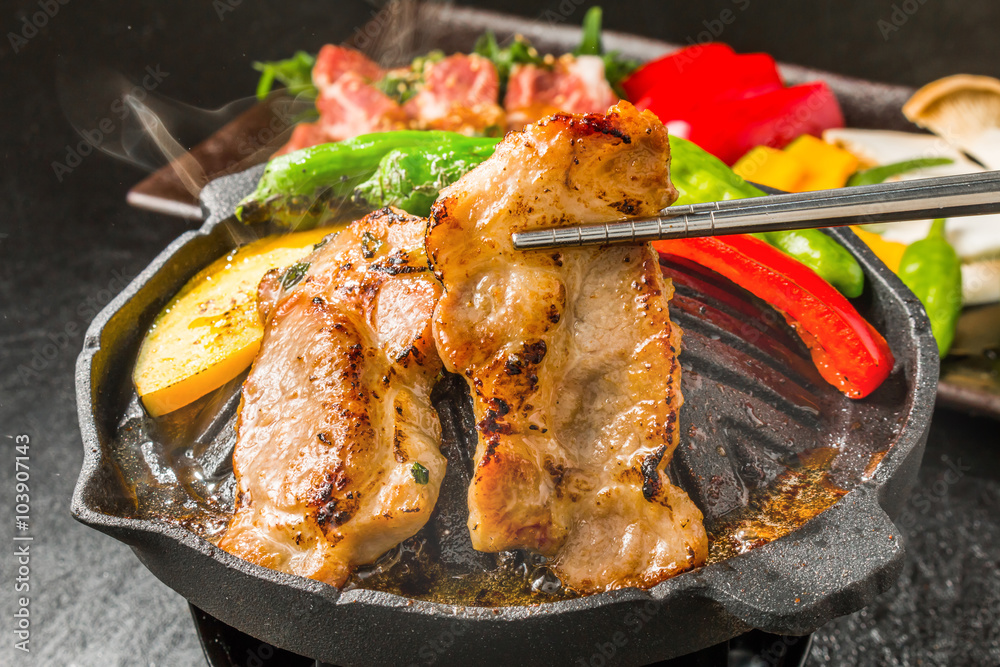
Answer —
68 243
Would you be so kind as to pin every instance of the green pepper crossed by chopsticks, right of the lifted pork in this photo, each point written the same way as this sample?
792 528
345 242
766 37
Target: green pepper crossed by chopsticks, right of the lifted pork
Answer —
701 177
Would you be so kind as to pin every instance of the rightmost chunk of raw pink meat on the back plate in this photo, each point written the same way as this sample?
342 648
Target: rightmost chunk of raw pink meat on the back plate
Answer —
573 84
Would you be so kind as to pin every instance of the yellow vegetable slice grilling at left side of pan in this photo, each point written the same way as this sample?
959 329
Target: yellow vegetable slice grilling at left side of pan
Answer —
211 330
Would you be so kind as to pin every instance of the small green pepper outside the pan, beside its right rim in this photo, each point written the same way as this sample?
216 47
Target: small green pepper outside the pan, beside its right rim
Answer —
933 272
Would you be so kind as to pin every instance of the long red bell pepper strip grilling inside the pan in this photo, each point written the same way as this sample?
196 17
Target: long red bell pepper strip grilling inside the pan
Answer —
848 352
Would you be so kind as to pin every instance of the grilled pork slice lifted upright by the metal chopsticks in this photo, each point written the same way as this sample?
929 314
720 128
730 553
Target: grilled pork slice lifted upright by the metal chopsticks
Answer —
570 355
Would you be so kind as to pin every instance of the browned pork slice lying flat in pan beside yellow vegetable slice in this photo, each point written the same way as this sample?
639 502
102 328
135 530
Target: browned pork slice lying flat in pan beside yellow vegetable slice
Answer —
337 456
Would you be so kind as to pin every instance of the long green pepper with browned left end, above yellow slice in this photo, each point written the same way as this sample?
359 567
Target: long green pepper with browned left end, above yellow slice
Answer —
301 189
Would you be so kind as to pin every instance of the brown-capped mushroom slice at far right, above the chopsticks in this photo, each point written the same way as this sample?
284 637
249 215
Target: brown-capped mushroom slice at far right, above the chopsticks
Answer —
964 110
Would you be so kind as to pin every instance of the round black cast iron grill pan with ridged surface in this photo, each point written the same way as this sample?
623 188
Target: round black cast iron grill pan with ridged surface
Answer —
755 409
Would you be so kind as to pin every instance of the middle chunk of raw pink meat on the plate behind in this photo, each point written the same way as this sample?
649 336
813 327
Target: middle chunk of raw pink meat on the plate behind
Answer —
458 93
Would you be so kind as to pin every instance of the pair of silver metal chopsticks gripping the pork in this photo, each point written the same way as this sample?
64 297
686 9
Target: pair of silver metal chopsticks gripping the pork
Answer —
947 196
